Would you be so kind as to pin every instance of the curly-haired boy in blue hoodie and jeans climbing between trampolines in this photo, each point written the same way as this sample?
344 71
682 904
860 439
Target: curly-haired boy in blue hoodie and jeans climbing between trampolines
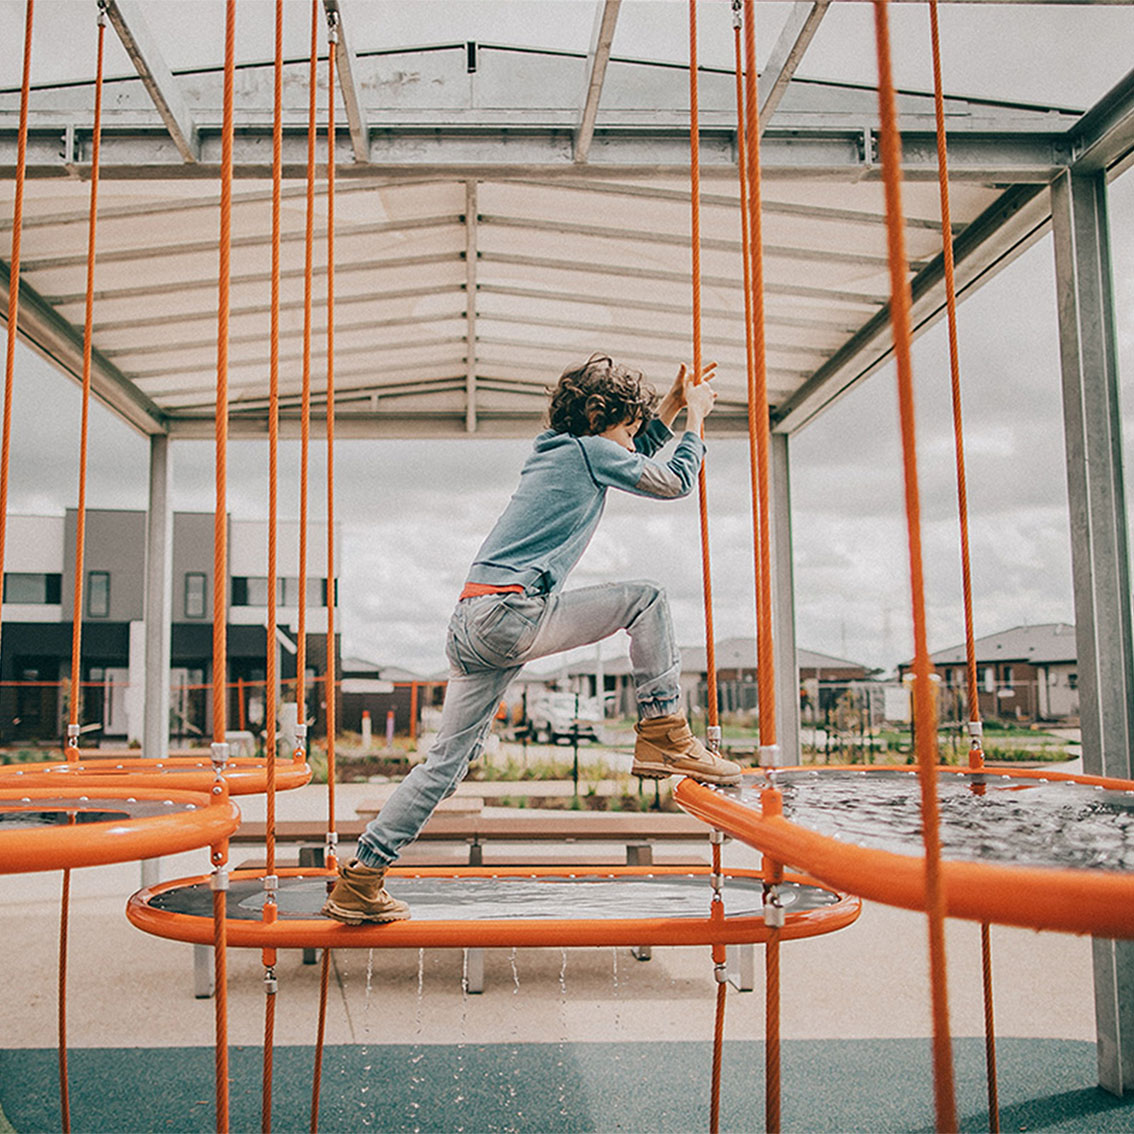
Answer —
604 431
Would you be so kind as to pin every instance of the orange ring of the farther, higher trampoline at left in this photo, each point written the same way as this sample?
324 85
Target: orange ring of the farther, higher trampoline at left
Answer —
244 775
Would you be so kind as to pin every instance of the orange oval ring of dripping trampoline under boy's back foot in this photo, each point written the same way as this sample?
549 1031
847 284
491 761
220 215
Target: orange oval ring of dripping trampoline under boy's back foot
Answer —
510 933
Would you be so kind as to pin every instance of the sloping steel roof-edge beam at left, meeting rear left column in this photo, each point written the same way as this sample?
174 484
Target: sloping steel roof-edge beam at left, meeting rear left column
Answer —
47 333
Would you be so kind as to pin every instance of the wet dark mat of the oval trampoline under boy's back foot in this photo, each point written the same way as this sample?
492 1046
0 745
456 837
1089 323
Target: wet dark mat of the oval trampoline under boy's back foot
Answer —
583 898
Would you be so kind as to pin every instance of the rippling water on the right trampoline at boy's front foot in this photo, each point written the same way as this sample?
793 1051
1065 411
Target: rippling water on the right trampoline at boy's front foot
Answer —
1027 823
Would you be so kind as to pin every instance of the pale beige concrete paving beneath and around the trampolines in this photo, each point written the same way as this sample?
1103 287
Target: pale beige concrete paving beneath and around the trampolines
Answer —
868 983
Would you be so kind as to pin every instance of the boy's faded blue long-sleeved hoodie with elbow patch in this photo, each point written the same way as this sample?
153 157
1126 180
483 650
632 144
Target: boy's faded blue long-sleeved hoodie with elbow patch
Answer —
558 505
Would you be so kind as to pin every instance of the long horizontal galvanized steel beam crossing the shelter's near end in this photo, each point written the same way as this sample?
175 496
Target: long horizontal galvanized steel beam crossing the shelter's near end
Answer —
529 148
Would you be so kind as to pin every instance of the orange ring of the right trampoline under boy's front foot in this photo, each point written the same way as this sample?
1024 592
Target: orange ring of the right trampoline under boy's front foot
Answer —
1045 899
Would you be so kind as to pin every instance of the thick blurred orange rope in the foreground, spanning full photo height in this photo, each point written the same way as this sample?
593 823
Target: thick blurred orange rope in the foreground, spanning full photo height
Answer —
924 697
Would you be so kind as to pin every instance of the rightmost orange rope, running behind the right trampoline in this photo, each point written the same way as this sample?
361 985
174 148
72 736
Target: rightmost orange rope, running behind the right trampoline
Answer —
977 755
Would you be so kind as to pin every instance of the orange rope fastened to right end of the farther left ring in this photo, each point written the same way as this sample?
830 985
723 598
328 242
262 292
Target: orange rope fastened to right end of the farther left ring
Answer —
301 656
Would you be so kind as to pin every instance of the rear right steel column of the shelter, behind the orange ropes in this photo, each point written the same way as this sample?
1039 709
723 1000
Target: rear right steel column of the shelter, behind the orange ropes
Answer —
788 668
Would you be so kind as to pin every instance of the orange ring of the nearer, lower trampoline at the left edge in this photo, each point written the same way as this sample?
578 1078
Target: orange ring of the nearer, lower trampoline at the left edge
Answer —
170 824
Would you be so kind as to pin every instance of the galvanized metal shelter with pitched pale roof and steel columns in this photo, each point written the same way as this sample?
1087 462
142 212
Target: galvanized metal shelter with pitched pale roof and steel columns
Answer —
502 209
